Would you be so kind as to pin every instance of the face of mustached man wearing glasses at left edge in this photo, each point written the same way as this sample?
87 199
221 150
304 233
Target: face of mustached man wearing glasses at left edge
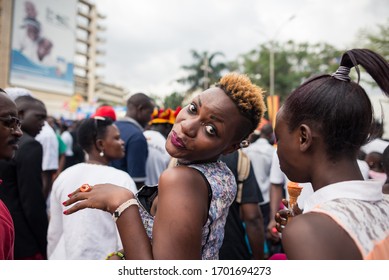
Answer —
9 131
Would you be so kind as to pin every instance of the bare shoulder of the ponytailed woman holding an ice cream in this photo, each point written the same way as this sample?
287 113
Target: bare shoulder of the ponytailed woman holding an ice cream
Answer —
316 236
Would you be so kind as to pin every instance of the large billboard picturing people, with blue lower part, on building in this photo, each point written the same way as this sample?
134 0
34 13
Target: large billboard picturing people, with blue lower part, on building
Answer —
43 45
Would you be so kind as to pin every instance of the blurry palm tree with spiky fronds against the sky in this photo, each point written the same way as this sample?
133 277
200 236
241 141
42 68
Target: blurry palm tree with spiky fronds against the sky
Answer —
204 71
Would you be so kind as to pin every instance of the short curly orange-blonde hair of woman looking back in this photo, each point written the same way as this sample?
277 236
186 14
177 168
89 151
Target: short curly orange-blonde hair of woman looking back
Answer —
247 96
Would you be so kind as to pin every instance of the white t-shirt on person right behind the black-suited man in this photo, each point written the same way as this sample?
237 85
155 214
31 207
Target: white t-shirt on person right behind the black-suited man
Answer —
49 142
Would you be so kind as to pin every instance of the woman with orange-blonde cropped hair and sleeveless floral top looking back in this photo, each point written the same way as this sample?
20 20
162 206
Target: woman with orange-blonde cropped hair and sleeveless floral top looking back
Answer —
184 217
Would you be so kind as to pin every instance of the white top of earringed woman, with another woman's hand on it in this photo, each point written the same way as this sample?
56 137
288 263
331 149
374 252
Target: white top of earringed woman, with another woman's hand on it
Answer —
89 234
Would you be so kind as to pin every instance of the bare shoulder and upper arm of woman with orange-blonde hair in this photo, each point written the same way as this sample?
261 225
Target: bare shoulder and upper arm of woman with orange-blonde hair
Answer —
182 212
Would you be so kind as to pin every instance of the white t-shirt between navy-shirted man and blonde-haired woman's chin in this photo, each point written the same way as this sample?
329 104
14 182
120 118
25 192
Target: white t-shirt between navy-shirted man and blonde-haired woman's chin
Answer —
158 158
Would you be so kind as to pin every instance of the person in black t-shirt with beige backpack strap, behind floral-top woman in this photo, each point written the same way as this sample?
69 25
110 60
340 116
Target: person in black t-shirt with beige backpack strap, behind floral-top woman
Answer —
244 234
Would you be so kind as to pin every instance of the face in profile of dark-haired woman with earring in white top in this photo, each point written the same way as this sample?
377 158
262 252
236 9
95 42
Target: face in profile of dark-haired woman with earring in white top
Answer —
113 145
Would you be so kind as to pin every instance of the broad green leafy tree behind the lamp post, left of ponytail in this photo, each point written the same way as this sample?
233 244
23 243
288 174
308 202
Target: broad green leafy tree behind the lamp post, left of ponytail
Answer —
293 63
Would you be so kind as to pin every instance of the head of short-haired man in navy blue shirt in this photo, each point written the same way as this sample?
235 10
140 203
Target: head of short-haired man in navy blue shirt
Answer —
140 107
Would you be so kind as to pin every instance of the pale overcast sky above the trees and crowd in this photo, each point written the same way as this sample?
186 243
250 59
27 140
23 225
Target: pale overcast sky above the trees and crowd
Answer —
149 40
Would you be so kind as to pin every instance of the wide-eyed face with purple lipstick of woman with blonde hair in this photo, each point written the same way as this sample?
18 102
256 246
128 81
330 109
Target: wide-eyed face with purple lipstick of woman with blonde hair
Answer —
205 128
